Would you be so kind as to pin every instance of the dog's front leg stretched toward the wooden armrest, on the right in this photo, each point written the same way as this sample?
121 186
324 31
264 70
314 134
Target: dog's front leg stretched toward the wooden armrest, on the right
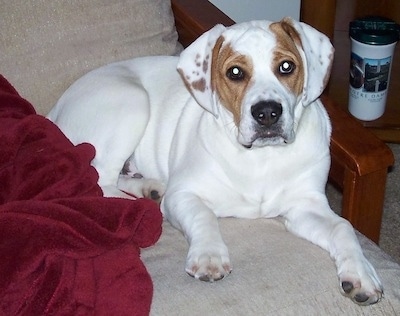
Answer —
313 220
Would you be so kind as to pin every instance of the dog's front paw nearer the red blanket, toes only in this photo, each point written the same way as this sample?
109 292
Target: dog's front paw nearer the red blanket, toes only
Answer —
208 265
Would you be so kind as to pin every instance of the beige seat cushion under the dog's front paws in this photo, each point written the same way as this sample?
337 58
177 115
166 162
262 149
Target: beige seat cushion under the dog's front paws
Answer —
274 273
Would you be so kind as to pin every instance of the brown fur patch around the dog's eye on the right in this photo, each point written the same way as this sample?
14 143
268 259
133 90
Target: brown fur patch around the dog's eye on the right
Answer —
288 39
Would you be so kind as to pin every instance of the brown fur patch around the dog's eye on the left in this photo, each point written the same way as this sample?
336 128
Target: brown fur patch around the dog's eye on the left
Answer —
231 93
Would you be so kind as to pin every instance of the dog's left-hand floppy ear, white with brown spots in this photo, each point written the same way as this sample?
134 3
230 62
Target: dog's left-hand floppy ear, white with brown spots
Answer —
194 65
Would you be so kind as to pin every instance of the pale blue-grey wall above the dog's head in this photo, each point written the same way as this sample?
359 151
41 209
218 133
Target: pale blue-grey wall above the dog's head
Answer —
245 10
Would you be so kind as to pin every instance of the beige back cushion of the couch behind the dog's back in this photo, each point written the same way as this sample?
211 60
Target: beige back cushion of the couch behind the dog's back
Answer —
46 45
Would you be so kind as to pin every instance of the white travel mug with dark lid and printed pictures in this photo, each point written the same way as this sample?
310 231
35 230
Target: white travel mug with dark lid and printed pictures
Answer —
373 40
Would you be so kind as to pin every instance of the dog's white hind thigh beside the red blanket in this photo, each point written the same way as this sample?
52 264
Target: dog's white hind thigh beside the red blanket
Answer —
109 109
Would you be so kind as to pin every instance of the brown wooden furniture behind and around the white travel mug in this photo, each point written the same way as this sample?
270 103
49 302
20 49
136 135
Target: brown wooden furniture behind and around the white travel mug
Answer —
332 17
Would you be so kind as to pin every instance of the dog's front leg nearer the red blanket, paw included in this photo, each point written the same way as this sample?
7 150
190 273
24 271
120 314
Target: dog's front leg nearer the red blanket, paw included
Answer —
208 257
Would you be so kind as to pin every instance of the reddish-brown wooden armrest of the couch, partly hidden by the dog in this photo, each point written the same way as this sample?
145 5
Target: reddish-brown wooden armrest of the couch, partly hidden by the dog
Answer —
359 159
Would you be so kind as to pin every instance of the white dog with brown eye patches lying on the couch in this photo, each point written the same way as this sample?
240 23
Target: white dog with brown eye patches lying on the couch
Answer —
232 127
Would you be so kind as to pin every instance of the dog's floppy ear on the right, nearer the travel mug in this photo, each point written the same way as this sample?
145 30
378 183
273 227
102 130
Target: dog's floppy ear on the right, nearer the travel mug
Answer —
317 52
